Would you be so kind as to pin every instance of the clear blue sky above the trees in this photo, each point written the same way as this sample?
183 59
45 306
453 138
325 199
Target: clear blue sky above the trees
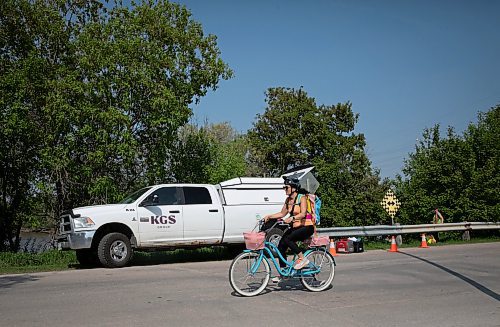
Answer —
404 65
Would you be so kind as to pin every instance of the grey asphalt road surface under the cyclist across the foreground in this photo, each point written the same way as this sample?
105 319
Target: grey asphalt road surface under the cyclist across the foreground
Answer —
442 286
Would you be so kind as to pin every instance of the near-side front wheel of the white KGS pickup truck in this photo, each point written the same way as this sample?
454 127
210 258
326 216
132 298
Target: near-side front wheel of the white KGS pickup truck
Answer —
114 250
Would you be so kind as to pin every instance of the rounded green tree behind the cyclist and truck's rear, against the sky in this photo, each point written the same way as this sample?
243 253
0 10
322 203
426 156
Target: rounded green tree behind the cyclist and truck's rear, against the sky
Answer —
294 131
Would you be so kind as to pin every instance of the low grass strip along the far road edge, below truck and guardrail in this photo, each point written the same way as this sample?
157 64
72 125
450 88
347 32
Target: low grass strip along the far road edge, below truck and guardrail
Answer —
53 260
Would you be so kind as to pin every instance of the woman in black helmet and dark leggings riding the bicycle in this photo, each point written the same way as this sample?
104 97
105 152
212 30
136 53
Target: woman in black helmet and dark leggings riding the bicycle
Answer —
296 207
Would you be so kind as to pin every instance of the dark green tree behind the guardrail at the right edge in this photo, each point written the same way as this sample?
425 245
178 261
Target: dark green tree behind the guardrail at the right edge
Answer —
456 174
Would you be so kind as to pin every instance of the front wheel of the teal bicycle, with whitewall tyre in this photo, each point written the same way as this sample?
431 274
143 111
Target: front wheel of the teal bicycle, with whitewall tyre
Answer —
248 276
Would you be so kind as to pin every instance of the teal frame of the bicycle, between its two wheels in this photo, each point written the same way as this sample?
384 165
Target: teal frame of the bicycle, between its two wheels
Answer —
287 271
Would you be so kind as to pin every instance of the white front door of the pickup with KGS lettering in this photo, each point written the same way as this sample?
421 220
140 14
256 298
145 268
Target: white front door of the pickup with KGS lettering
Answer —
160 216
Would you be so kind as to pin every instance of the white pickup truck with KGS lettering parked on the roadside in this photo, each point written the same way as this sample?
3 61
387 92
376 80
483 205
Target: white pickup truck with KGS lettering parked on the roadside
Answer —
169 216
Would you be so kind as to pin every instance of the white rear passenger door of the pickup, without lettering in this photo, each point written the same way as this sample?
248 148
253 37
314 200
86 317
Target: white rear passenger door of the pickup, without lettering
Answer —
202 215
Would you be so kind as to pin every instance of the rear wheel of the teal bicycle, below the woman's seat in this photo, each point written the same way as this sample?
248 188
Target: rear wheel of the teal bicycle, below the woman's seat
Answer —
323 262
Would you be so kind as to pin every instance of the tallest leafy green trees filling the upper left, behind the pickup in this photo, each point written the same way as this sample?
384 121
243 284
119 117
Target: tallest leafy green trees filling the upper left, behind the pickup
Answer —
102 93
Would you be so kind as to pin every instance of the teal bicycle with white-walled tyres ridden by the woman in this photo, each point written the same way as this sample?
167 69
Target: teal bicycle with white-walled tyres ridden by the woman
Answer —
250 271
